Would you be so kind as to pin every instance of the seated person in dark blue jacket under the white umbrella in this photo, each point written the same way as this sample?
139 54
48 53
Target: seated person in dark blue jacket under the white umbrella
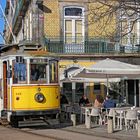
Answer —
109 103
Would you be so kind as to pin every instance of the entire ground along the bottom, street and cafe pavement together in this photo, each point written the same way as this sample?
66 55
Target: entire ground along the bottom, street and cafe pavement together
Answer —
66 131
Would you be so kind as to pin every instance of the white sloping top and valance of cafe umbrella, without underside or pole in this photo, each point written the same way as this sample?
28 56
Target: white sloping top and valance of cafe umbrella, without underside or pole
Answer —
109 66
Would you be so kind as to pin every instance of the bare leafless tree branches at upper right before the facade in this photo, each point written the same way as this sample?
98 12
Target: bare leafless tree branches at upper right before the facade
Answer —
125 13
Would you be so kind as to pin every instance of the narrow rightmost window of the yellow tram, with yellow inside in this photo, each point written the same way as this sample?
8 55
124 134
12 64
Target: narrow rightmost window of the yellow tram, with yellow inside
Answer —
53 71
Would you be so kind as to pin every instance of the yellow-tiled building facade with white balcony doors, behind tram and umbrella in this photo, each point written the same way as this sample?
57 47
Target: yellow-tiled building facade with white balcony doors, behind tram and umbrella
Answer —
67 28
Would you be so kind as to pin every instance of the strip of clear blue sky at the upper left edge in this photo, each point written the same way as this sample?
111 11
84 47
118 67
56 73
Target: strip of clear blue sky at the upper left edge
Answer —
3 3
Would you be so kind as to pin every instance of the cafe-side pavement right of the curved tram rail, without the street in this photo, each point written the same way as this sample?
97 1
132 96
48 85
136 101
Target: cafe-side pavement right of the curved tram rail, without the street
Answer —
79 132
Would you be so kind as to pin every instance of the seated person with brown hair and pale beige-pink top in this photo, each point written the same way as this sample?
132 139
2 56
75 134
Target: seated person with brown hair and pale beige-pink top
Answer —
98 101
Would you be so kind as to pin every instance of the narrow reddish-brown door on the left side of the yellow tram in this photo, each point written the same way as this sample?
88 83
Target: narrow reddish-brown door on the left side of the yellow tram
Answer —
5 83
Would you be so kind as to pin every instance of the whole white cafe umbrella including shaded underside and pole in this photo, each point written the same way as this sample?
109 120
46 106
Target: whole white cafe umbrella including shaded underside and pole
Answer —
110 70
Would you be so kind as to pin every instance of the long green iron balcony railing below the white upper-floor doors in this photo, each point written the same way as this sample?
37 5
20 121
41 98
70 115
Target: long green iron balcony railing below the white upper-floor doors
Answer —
89 46
